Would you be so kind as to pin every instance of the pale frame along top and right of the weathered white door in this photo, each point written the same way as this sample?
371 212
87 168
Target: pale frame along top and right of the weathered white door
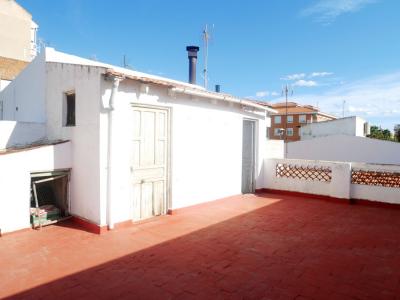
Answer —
168 109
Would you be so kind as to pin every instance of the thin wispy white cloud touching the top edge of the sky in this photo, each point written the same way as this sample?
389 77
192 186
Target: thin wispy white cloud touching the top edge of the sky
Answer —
326 11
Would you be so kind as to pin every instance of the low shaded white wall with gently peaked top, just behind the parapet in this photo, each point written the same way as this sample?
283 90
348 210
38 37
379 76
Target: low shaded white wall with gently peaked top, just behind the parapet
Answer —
346 148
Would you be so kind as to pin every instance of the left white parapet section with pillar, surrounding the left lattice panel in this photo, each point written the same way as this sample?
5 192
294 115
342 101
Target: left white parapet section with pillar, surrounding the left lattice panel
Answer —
339 187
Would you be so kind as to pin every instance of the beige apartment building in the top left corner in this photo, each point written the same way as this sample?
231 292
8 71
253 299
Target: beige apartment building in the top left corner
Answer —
17 40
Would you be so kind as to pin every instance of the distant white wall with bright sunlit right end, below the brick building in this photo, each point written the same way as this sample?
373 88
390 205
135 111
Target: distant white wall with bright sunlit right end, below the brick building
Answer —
353 126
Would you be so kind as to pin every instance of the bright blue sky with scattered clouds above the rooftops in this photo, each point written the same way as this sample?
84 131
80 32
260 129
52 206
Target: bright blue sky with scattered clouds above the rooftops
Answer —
330 51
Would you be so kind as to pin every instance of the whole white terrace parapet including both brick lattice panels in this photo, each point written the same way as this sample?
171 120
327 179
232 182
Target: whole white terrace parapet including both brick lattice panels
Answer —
303 176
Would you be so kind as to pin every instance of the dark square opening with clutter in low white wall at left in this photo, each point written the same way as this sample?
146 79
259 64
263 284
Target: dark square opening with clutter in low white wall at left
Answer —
49 197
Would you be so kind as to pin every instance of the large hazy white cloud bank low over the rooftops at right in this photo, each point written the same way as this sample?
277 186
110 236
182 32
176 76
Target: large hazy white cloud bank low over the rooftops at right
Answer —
376 99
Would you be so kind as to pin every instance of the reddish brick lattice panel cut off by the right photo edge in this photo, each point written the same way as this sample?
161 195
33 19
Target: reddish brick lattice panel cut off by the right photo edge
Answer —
386 179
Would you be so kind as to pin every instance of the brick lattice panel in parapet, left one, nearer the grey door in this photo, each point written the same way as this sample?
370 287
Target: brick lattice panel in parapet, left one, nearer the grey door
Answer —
306 173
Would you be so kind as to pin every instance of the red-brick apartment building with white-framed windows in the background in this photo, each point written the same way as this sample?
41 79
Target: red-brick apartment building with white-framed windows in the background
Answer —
297 115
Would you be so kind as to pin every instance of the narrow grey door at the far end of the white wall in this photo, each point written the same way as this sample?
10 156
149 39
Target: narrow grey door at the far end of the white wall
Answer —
248 157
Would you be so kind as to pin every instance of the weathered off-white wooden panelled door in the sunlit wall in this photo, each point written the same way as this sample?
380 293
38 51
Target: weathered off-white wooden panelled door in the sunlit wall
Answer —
150 162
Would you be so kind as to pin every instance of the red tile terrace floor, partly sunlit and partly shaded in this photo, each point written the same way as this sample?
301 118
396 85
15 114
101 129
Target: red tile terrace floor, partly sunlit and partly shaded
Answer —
245 247
